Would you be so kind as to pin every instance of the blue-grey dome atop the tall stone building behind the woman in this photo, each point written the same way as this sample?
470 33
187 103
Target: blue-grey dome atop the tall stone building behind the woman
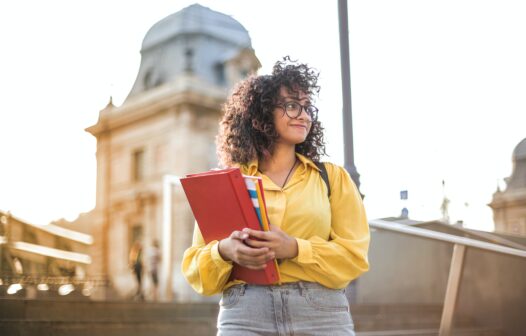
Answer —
197 41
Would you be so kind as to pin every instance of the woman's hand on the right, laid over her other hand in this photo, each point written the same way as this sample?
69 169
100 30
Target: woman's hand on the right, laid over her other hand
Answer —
283 245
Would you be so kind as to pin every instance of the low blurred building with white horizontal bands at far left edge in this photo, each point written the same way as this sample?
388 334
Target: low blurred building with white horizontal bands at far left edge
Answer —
47 257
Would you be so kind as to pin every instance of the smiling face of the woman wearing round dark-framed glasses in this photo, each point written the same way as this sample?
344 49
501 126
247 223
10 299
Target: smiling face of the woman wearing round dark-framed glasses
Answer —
292 130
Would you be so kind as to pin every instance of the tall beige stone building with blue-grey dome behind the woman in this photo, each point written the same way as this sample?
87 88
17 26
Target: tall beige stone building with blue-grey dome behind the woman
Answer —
166 126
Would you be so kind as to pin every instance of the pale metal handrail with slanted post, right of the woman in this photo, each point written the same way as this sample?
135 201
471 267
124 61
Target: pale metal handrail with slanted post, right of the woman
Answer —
457 261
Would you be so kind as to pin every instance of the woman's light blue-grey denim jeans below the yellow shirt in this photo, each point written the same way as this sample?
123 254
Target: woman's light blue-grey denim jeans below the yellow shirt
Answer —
301 308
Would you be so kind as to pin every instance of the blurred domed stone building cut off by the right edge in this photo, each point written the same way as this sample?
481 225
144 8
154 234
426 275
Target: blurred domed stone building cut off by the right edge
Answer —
509 206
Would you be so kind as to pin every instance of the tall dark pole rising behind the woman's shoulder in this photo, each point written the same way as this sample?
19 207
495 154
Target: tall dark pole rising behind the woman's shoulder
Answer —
346 94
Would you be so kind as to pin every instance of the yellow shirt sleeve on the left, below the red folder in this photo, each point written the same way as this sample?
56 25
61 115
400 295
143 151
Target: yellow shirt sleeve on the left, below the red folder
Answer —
203 267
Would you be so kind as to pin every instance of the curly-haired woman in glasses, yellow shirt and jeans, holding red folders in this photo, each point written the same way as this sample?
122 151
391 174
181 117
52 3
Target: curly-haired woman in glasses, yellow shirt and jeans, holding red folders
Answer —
270 129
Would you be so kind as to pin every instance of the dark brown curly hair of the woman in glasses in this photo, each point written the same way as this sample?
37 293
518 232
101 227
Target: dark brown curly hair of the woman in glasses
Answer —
247 130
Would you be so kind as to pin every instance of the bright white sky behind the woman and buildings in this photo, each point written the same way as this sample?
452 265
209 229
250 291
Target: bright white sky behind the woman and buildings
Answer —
438 92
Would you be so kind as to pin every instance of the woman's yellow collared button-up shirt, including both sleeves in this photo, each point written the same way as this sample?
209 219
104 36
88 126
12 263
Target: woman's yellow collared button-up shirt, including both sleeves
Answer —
332 234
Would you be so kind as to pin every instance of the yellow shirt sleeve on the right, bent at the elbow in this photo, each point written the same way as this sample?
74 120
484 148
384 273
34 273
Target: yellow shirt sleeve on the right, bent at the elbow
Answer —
334 263
